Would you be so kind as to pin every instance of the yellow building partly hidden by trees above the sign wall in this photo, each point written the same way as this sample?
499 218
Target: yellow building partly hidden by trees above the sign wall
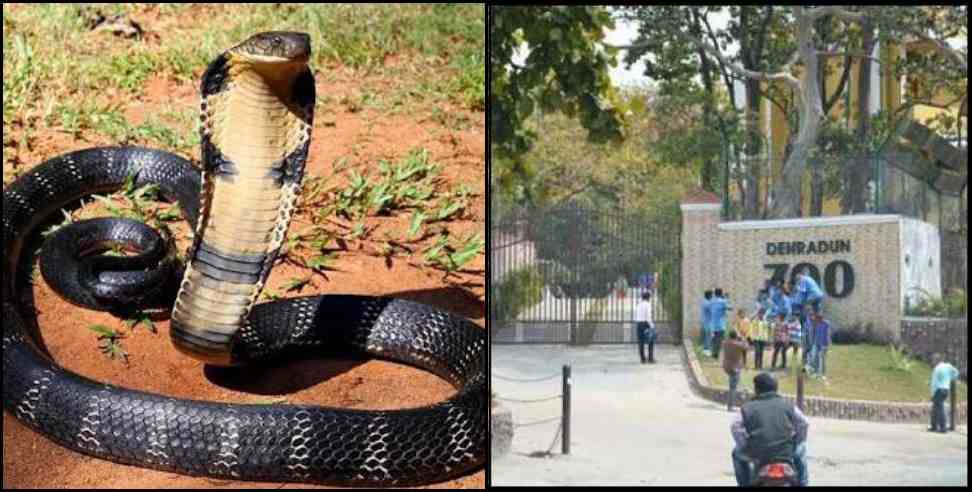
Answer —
886 93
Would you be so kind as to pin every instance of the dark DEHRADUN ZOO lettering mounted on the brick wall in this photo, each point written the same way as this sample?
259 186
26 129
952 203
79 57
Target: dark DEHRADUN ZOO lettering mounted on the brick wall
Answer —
829 282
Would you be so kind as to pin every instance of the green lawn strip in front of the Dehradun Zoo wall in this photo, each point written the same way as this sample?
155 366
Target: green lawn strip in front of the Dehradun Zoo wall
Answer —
857 372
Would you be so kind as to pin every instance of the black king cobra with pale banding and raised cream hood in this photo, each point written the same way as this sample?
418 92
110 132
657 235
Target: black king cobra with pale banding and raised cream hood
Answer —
256 119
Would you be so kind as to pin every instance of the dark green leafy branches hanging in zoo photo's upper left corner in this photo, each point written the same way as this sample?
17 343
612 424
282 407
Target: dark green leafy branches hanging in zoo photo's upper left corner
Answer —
565 70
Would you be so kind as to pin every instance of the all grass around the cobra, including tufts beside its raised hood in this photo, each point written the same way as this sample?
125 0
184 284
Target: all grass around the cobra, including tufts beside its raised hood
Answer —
60 77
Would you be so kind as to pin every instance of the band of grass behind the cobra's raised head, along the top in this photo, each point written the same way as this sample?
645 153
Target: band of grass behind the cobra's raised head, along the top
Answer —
56 69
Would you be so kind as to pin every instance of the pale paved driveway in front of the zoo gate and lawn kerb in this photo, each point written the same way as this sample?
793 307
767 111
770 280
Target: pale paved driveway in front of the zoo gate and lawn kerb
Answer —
639 424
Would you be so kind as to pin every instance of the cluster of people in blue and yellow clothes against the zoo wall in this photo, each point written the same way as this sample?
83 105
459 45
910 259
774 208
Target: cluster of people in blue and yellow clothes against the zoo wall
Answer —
784 318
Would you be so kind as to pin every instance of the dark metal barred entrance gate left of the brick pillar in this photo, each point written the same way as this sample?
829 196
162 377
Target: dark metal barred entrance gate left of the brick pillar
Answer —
574 275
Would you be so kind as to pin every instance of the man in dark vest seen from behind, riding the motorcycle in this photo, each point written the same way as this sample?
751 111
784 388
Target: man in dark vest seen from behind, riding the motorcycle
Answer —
769 429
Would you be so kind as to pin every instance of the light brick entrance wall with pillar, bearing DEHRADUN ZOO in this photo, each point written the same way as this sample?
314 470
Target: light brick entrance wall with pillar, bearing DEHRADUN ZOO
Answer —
864 263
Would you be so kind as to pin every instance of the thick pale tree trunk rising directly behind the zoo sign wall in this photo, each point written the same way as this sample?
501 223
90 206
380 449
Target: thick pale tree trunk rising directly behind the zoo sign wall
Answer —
787 193
